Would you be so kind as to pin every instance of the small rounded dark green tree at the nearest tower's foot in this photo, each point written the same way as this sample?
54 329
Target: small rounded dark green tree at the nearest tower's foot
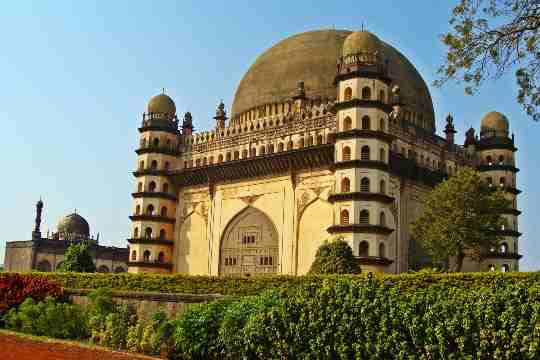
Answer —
334 257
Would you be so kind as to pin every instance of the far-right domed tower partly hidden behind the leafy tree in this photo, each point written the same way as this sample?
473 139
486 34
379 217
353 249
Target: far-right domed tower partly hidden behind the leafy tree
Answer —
497 164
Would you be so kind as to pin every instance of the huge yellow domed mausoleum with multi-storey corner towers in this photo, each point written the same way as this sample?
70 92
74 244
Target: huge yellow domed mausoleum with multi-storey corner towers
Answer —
331 133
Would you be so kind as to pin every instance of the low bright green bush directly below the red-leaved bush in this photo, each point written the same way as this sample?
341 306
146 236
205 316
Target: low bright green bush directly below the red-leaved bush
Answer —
48 318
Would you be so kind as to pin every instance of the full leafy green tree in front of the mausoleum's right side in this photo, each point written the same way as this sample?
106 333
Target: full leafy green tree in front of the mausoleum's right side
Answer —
461 218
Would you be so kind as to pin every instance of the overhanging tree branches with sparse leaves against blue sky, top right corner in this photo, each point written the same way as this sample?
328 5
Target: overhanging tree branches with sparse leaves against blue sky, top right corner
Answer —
490 38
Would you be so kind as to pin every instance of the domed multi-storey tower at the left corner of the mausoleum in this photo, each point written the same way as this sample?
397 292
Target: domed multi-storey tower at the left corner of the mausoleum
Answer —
154 208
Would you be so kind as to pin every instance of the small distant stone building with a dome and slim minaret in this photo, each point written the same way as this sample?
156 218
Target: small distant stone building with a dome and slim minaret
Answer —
46 253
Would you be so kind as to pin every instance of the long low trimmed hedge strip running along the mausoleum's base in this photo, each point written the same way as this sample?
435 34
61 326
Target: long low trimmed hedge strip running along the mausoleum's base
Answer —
255 285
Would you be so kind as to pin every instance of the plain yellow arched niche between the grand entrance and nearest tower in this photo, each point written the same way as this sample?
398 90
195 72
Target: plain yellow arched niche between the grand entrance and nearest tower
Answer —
314 221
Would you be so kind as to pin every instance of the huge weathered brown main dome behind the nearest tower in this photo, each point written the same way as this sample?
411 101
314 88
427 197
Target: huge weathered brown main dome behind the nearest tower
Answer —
312 57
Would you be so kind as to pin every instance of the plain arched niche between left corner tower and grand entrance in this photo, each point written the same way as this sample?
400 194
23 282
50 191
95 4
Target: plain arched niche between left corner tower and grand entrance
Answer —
192 247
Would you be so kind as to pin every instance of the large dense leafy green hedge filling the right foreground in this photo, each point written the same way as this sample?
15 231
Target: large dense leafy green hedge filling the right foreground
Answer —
369 319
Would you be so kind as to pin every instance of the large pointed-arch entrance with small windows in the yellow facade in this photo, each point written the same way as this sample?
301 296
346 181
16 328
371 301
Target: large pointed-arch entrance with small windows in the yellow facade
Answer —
249 245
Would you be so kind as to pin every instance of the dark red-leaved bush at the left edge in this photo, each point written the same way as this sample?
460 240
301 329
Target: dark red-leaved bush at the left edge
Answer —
15 288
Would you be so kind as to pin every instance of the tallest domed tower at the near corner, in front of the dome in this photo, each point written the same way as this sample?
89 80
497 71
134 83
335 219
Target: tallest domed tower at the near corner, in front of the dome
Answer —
361 199
